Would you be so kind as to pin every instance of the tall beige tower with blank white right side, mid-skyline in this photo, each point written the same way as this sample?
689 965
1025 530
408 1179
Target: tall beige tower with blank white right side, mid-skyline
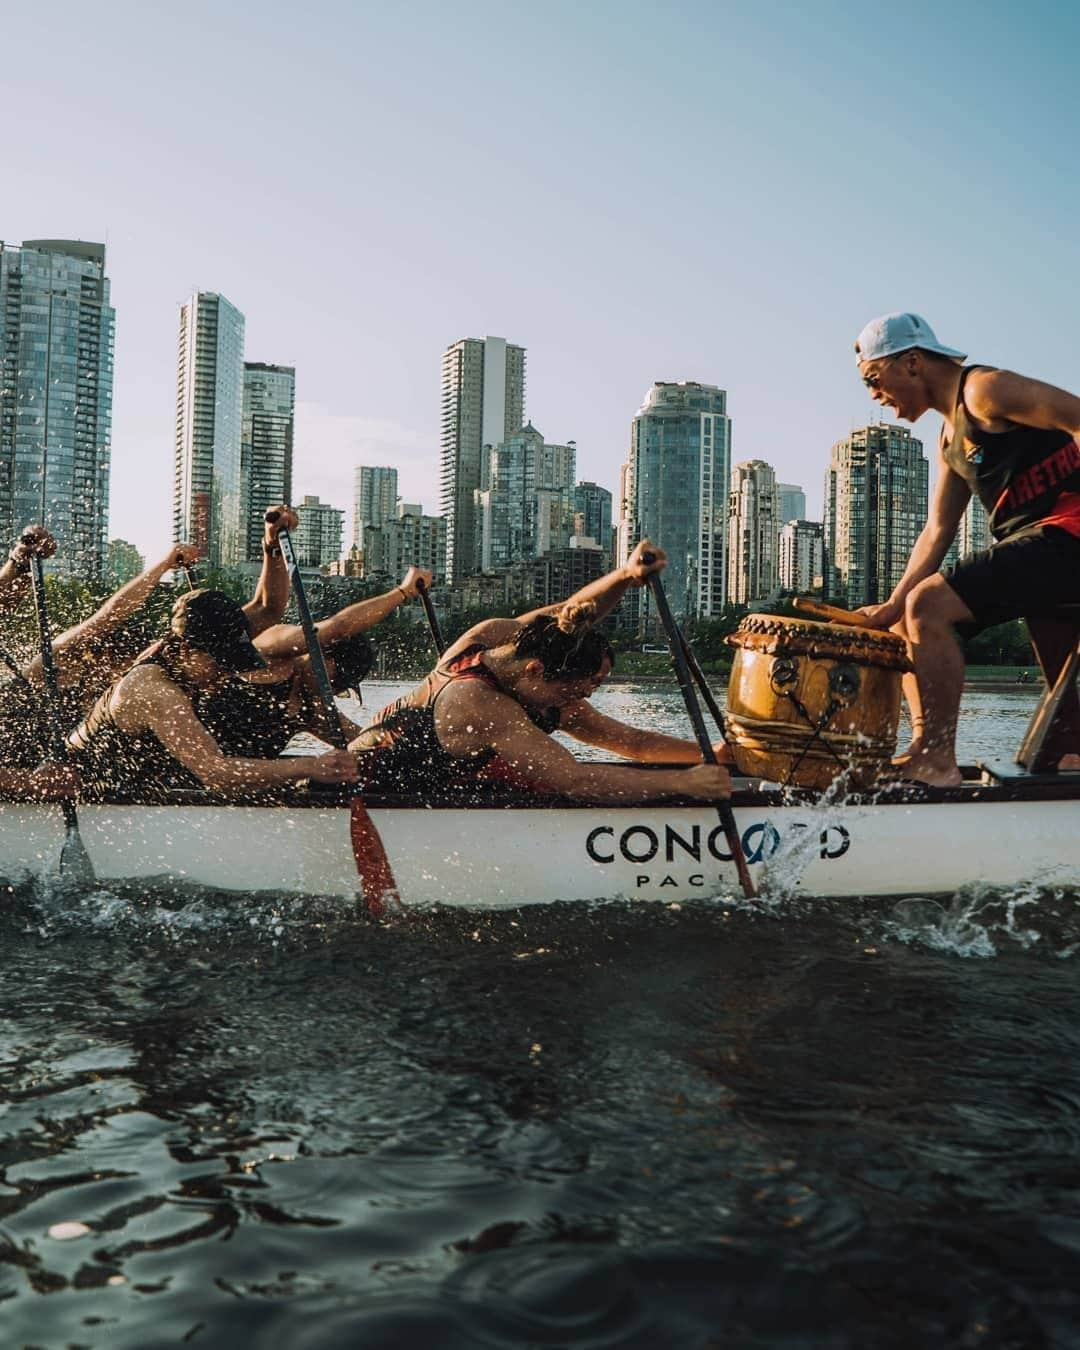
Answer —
484 403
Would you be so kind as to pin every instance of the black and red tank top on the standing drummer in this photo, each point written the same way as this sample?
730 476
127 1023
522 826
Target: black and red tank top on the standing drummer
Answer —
1021 476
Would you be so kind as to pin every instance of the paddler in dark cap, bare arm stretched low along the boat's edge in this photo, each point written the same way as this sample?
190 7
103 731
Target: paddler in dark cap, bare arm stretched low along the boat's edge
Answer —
145 736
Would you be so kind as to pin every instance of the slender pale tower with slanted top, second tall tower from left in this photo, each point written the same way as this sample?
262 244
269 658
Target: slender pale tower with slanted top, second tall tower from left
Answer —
207 481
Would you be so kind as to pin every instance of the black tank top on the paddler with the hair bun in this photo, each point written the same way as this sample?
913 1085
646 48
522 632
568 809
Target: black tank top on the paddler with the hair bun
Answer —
406 754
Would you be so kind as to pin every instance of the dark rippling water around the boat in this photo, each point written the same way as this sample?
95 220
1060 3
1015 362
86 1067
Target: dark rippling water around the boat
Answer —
276 1124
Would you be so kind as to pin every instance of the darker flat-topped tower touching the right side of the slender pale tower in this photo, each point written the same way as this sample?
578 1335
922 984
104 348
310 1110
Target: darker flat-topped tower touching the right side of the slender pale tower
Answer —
267 446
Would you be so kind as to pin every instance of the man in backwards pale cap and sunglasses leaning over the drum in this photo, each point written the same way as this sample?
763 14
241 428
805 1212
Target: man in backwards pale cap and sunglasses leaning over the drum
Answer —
1016 445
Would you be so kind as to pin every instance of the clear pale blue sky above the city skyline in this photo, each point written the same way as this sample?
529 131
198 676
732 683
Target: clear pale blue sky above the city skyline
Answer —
634 192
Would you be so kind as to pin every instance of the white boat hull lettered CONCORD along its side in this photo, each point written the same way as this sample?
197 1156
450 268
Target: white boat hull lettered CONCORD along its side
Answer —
499 858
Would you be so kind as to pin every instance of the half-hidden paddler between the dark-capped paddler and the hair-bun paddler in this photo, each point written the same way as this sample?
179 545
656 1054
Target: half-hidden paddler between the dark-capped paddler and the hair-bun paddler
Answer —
261 712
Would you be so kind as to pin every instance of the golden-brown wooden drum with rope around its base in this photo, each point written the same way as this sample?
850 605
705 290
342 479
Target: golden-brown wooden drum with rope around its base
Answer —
808 703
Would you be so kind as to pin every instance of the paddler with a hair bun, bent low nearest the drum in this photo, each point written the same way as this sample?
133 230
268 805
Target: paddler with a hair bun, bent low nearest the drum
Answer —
488 711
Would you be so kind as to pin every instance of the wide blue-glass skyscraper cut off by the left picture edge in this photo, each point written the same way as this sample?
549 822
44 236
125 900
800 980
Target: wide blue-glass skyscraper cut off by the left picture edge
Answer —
56 398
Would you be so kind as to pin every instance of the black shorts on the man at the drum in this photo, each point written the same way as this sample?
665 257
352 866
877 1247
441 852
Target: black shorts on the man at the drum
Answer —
1029 576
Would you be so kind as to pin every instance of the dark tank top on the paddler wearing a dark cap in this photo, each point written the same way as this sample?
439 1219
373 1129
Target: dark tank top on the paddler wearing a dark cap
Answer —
110 759
